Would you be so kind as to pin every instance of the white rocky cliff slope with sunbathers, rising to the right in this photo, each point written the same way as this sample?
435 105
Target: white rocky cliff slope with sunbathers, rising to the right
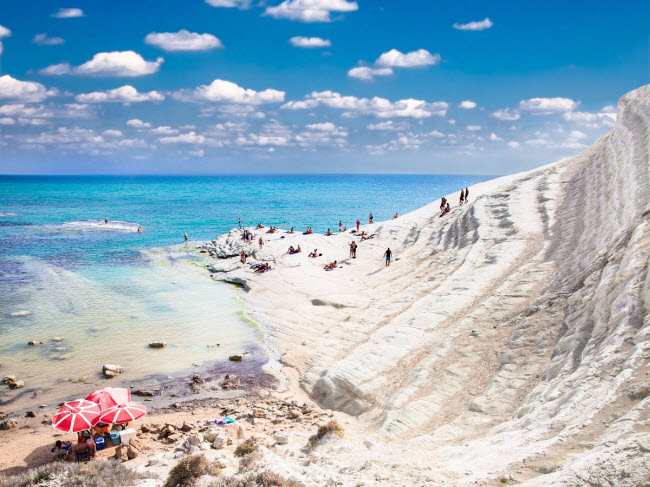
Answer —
510 336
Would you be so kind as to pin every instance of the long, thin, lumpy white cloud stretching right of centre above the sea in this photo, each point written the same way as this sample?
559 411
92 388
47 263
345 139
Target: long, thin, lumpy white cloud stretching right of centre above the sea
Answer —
376 106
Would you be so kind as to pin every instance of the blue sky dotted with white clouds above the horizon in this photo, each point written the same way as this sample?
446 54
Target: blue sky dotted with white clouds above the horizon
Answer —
311 86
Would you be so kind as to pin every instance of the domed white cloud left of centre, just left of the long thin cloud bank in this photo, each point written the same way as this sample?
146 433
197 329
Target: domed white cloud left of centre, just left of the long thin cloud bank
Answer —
226 91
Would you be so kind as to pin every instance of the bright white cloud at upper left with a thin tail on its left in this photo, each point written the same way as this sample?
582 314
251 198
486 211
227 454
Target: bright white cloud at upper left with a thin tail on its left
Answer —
108 64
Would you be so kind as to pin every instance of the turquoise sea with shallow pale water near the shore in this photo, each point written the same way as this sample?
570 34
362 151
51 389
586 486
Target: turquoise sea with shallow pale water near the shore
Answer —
90 293
